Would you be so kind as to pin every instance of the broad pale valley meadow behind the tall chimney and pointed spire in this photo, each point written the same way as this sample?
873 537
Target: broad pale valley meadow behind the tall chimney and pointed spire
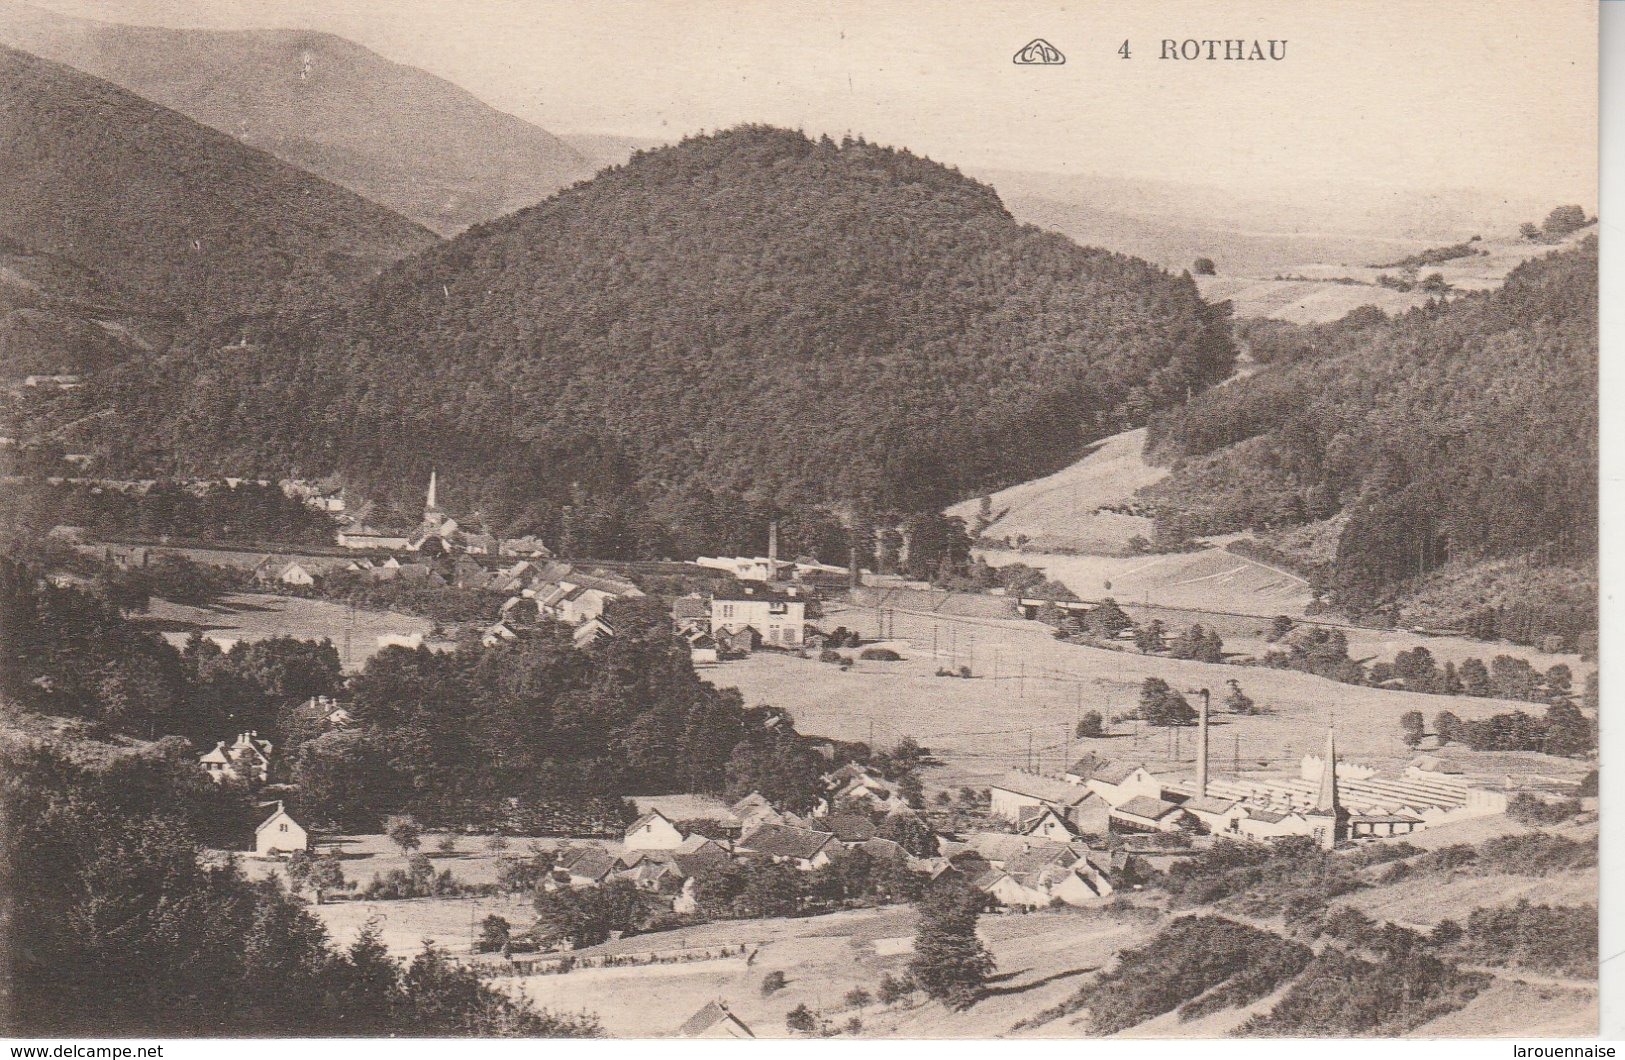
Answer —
1029 690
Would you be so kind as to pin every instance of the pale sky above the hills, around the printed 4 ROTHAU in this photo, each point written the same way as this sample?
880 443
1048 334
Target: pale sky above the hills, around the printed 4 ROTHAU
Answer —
1421 93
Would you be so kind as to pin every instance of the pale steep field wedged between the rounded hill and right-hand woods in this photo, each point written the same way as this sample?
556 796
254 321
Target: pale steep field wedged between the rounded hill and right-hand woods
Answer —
1059 511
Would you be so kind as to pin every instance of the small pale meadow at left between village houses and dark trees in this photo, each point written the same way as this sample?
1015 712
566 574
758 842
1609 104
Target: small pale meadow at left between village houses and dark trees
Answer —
258 617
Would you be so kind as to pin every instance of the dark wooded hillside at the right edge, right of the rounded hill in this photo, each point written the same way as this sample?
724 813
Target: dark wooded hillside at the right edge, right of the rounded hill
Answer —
1458 433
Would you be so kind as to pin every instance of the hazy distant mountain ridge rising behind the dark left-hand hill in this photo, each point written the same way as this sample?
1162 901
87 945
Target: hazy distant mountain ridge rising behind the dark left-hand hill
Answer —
389 132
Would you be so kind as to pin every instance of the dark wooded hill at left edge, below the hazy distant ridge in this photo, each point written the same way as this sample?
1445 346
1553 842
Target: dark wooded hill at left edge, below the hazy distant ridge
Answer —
171 209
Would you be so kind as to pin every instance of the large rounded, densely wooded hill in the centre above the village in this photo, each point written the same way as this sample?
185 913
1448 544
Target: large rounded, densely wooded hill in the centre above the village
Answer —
742 323
